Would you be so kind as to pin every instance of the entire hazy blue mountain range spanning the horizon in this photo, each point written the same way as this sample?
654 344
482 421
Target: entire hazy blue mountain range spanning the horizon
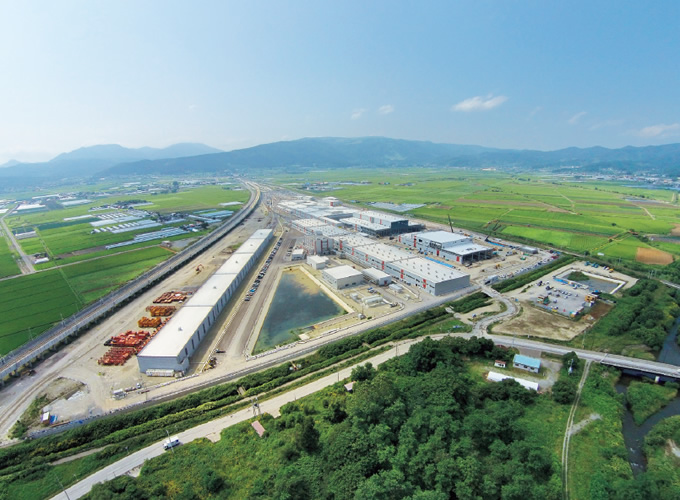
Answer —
333 152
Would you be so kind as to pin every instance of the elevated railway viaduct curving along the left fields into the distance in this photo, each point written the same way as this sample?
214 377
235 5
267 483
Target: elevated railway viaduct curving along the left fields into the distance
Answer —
84 318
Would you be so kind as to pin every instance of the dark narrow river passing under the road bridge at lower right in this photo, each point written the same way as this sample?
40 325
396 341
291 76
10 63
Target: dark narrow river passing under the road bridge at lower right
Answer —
633 435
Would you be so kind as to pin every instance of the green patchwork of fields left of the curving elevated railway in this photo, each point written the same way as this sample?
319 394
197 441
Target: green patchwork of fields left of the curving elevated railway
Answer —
33 303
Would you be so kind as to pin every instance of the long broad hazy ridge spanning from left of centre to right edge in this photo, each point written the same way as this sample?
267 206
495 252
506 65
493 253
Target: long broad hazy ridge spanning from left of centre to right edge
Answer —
331 152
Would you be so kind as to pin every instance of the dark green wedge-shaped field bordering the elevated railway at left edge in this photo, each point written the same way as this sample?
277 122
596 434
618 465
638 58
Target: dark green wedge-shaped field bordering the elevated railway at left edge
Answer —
33 303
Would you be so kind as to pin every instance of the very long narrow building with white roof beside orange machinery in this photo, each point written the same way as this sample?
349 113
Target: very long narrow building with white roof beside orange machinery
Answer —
174 344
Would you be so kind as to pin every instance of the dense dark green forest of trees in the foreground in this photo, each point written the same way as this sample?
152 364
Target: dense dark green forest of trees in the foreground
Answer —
421 427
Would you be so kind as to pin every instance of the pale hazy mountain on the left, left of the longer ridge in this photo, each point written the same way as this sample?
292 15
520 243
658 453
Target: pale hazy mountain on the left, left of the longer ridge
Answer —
90 160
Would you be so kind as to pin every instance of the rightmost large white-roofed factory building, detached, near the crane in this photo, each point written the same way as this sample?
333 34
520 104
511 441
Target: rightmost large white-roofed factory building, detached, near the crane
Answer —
448 246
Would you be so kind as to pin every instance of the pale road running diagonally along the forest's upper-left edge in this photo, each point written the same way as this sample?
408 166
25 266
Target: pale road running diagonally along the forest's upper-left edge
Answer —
212 430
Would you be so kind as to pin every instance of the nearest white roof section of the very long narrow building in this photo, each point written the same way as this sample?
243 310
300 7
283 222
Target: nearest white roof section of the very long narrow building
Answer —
173 337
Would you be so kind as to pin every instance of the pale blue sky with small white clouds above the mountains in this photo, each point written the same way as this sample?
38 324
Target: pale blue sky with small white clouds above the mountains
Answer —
509 74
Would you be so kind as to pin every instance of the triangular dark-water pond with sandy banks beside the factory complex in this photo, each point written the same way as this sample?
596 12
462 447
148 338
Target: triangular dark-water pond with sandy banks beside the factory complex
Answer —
298 303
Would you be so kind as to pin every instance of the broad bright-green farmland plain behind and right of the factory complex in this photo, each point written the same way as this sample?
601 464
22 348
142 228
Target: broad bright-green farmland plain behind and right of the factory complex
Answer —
584 217
